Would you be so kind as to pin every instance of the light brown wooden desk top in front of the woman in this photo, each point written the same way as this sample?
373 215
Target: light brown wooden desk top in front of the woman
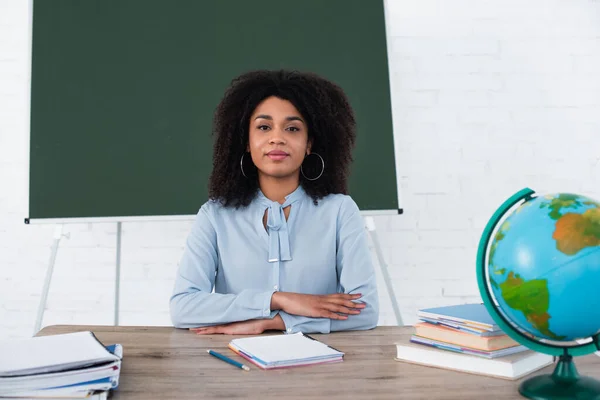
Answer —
167 363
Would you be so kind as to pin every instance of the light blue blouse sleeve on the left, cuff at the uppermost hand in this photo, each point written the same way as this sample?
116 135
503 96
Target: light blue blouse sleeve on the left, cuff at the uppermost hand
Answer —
192 303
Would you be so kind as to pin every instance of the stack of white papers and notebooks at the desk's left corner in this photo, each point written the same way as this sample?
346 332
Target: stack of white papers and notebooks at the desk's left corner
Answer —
74 365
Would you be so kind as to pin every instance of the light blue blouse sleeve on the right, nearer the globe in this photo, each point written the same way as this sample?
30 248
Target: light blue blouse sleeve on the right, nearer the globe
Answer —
355 275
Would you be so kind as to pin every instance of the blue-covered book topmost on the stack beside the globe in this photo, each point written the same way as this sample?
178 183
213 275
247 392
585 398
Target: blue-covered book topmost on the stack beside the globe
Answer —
469 315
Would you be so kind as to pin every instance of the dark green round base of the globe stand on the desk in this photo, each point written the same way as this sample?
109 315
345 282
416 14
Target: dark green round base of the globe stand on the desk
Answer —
563 383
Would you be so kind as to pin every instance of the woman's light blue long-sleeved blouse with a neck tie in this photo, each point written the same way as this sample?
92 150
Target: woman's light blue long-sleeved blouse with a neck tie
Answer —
320 249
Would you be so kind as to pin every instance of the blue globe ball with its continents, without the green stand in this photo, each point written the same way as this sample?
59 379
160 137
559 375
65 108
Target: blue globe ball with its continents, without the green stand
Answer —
544 267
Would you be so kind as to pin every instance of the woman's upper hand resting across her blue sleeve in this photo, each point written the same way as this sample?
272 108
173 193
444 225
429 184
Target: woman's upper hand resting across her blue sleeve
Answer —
317 306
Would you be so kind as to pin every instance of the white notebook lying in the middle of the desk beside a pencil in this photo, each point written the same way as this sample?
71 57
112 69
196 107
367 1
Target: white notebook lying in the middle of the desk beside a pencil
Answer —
281 351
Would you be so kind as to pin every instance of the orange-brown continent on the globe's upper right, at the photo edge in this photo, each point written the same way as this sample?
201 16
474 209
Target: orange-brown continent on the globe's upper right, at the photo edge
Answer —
574 232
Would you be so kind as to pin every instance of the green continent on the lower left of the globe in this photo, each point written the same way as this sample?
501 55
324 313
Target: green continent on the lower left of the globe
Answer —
532 298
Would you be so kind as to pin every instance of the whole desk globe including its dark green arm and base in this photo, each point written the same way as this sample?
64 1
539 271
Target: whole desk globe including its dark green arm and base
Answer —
538 271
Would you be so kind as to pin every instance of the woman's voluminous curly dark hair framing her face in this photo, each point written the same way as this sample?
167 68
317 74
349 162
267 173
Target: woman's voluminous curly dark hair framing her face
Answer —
329 118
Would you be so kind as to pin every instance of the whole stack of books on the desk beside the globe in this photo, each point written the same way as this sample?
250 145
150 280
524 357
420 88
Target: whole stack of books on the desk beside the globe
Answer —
466 338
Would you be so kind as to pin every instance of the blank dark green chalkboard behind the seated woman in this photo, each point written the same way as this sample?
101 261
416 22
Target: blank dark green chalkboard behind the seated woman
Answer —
123 93
